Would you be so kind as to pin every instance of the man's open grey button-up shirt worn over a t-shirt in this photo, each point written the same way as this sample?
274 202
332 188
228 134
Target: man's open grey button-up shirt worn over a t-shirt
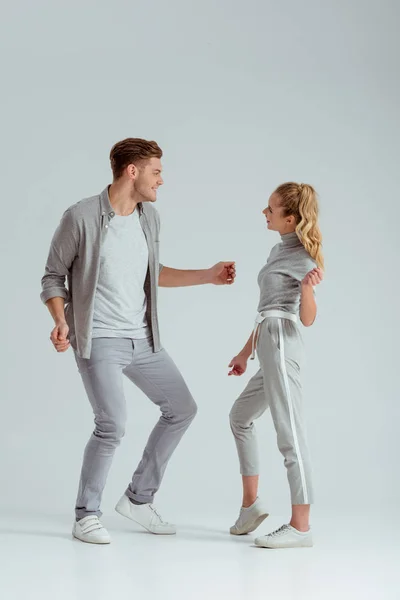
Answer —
75 254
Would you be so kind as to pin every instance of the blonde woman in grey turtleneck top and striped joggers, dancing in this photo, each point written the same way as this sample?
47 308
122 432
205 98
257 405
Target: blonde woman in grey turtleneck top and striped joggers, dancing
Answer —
287 283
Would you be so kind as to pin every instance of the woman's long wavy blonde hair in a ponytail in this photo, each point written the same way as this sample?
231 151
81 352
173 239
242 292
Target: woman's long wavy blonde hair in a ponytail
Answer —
301 201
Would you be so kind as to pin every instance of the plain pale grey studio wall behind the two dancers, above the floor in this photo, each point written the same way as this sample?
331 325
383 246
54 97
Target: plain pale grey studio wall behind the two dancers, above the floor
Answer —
241 97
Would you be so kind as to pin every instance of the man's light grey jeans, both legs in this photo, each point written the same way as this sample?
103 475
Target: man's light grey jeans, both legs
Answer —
158 377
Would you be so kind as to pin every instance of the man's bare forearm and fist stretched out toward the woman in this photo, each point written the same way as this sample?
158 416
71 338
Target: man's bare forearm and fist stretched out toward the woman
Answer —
223 273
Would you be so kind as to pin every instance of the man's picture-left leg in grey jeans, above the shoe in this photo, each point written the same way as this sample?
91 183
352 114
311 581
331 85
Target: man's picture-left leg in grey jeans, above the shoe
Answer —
102 377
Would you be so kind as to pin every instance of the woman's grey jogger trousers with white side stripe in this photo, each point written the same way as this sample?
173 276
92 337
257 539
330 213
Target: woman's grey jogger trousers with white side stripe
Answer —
276 385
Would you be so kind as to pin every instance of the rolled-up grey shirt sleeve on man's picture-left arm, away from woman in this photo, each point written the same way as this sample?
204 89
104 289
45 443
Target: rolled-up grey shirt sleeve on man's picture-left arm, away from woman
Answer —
63 250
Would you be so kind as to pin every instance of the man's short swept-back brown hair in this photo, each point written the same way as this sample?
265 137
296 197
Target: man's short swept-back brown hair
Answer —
132 151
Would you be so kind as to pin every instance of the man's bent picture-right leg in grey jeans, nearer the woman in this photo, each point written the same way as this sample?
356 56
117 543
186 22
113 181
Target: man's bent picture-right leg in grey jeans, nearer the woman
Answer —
158 377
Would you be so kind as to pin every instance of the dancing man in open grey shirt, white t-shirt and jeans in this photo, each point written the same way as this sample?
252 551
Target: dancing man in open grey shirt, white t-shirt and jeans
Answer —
108 248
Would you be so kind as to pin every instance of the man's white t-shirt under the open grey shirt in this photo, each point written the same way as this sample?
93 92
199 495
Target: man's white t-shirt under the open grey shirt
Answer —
120 301
